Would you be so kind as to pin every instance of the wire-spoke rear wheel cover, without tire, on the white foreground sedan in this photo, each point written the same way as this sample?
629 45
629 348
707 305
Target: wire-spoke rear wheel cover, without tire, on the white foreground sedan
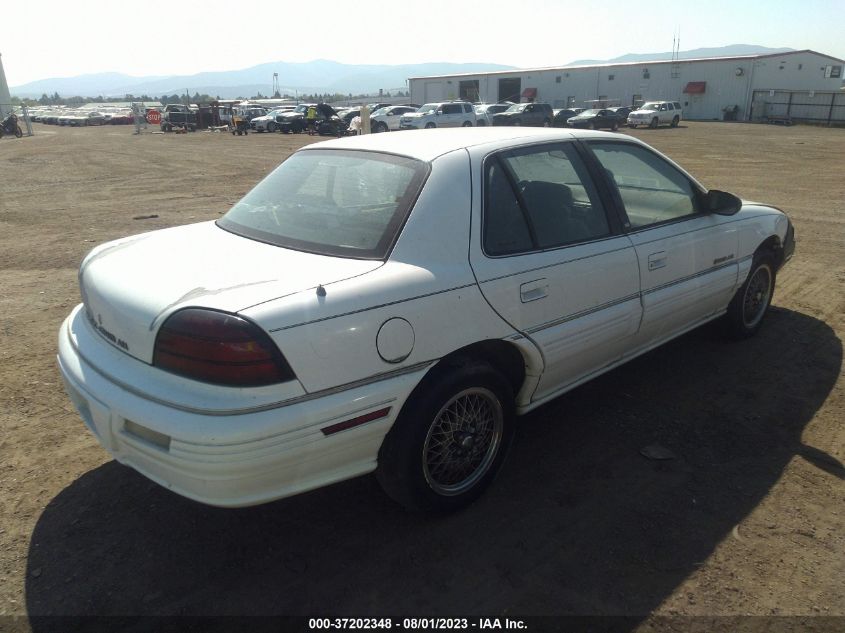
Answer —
463 441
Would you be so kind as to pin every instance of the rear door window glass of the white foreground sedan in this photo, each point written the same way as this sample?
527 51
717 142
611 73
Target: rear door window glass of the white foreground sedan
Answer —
540 198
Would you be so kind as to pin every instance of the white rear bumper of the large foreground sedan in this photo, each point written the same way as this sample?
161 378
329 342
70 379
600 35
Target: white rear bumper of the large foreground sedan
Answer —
242 458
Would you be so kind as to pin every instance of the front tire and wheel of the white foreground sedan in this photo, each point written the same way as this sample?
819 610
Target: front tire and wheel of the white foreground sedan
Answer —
751 302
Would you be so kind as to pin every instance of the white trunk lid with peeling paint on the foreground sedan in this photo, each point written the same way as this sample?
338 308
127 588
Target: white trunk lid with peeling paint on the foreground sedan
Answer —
131 286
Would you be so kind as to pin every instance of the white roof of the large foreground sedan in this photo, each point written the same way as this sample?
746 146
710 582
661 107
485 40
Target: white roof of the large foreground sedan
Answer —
426 145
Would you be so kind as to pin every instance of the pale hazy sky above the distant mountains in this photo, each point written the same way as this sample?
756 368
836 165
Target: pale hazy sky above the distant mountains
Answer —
183 37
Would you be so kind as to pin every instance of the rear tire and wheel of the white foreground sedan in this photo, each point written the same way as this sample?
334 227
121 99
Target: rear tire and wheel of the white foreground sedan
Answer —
449 440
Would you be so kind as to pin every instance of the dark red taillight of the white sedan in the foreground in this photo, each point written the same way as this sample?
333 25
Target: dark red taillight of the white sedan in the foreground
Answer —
219 348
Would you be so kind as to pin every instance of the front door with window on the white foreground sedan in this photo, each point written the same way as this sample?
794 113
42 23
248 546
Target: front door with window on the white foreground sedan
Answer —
687 258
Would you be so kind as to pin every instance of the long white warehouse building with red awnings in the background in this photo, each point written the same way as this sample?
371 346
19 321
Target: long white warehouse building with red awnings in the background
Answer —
801 84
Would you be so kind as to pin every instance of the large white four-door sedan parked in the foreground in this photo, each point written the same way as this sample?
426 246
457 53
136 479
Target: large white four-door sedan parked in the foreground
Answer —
391 302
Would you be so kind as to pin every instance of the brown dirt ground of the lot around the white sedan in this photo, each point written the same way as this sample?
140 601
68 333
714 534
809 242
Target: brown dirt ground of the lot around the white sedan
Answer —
747 519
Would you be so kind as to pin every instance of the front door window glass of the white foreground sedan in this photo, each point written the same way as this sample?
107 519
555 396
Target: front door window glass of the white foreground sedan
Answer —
652 190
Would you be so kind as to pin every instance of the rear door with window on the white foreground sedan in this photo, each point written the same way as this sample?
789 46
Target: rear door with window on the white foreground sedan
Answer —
551 260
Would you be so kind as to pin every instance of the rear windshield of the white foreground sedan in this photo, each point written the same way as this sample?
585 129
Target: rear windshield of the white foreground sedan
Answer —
332 202
